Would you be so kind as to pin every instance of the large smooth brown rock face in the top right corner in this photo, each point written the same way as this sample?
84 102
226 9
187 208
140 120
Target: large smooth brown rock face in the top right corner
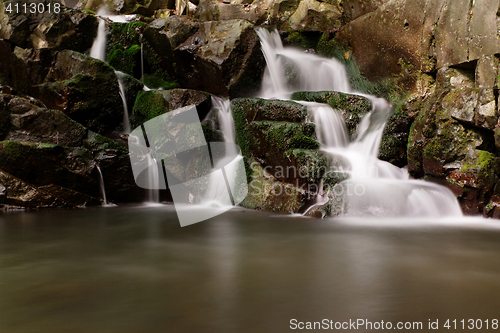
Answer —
422 35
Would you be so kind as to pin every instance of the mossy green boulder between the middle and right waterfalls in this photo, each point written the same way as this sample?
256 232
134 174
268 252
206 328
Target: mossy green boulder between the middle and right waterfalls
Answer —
272 132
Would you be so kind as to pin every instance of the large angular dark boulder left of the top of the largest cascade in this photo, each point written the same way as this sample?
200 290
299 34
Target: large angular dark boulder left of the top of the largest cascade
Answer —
222 57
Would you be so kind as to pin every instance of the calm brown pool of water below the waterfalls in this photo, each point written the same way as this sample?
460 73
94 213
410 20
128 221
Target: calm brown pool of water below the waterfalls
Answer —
136 270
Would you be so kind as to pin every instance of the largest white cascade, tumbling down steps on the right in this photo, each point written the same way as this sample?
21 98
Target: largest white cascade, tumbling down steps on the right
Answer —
374 187
